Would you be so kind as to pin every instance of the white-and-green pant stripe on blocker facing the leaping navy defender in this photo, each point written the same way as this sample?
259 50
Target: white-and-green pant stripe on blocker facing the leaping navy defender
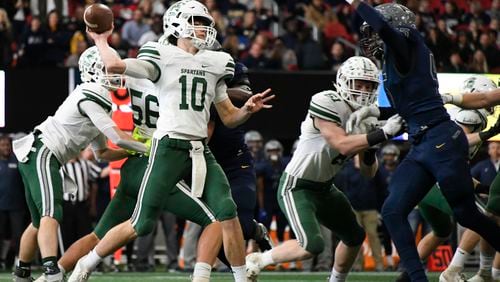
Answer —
291 210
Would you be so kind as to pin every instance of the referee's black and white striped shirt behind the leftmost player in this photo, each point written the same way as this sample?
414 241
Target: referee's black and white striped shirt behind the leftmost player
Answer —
83 172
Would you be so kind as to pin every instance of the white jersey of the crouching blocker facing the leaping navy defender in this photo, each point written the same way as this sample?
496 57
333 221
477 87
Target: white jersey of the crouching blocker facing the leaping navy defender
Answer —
314 159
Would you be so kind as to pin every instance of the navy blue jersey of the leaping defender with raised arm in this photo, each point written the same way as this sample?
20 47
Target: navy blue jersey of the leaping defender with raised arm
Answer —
409 72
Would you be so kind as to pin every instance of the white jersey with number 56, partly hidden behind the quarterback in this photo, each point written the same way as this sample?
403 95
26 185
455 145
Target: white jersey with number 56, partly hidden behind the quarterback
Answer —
144 100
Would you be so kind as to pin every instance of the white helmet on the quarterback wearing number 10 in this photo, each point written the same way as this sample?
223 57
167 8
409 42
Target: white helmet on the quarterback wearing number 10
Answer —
178 21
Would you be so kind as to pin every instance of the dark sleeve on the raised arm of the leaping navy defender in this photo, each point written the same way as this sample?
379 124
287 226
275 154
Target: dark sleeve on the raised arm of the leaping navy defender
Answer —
394 39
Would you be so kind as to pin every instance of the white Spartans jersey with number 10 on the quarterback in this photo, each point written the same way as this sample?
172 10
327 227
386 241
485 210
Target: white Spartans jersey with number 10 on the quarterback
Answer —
187 85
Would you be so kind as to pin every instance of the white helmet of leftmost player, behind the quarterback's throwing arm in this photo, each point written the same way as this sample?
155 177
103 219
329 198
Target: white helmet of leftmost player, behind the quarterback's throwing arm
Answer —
92 69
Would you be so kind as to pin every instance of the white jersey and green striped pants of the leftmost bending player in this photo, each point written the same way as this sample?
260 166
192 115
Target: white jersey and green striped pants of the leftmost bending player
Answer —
54 142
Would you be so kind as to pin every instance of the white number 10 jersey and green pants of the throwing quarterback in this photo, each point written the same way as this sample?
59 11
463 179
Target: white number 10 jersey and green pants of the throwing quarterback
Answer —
188 84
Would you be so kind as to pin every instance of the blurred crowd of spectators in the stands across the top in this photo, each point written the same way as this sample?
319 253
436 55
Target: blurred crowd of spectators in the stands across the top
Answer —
264 34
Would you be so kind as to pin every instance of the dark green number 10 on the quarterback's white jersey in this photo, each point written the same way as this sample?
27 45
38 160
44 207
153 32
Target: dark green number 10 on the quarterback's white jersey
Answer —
198 87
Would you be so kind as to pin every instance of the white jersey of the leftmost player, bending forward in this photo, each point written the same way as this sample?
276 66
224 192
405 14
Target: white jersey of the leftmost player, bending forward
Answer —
70 130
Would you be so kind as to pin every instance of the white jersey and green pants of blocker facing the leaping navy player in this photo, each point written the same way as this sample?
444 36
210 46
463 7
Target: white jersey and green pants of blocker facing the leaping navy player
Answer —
306 193
